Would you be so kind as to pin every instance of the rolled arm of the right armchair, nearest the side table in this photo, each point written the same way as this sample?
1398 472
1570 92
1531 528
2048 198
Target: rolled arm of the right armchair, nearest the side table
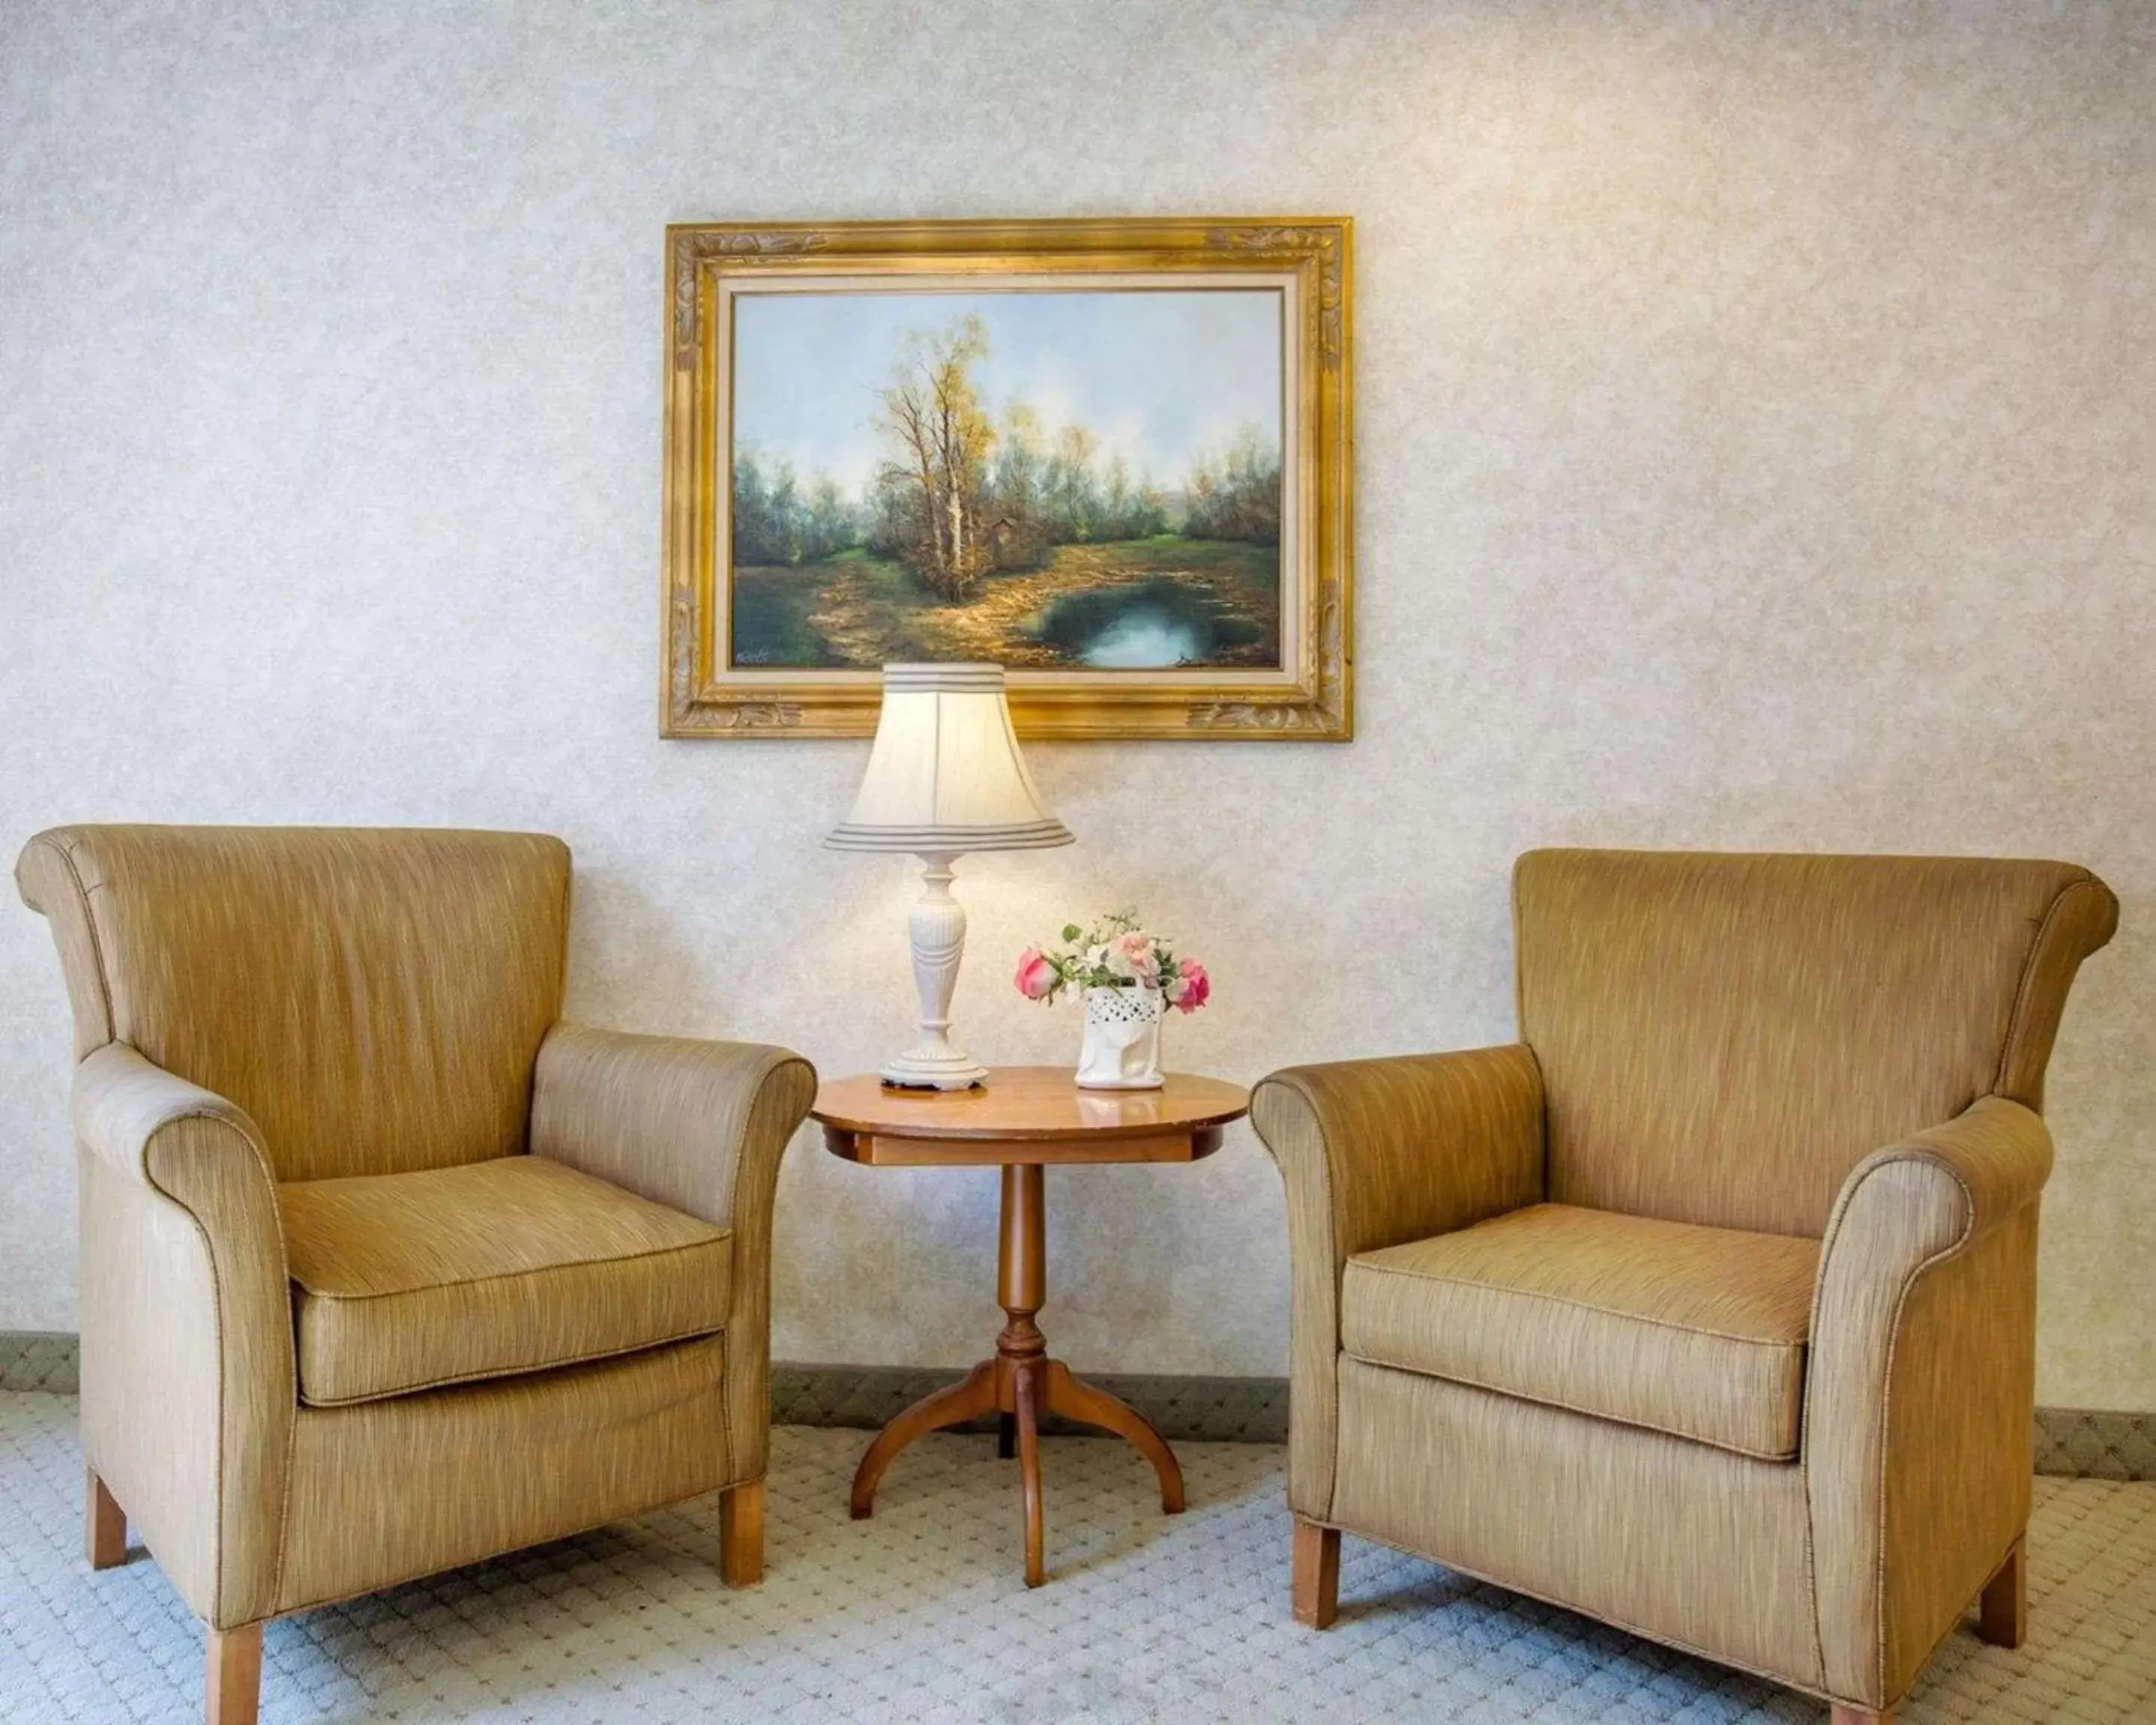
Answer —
1372 1155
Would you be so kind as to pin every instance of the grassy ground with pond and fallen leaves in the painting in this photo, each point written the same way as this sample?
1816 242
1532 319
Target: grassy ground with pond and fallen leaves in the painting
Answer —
1152 603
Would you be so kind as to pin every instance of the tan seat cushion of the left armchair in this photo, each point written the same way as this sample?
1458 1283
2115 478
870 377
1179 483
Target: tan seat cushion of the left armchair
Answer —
406 1282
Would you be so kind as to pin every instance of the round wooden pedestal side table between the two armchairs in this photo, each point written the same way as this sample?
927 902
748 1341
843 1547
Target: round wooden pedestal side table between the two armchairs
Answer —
1023 1120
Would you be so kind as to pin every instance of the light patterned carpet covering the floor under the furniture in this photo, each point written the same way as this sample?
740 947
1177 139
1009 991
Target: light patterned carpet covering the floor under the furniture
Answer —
922 1616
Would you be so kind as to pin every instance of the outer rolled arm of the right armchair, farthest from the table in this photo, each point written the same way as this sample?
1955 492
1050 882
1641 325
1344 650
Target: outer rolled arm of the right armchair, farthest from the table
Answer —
1920 1388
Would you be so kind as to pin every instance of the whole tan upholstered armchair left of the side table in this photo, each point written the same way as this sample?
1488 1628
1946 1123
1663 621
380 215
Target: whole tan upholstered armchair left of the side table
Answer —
385 1269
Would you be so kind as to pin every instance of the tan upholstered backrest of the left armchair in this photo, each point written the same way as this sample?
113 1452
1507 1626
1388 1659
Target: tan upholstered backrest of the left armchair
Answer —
372 997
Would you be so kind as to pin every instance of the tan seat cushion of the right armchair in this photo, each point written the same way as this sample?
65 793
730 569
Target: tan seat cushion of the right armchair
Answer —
1694 1331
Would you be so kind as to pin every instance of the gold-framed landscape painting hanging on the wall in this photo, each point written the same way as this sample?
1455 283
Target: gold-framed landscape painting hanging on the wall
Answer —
1111 456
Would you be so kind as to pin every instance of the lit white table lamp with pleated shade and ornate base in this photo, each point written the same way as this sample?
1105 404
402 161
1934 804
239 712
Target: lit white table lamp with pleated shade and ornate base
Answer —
945 777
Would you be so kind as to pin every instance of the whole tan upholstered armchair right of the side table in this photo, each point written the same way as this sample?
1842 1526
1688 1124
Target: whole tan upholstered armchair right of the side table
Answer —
1709 1308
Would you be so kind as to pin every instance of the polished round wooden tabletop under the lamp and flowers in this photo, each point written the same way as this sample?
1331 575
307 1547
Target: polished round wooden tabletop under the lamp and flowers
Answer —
1027 1114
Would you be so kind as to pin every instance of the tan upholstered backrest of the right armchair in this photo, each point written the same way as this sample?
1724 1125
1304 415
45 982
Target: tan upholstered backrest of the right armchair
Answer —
1724 1038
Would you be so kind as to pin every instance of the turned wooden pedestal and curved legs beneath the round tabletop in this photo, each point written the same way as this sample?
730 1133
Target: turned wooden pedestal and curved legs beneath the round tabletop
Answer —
1021 1383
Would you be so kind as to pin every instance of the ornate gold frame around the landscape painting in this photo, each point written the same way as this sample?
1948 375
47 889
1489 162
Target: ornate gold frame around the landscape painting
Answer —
1312 260
